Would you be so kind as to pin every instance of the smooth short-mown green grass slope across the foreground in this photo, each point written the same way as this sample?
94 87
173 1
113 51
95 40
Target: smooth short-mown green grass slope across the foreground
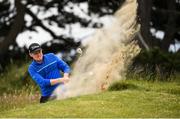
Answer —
138 99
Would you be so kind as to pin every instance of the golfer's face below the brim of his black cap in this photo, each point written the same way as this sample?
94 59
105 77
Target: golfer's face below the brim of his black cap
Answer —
37 55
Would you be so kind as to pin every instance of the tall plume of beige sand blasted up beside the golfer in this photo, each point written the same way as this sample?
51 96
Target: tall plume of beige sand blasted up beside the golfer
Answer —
106 56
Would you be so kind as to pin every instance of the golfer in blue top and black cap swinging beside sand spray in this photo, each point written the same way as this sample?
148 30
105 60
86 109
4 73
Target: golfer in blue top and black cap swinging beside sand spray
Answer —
45 71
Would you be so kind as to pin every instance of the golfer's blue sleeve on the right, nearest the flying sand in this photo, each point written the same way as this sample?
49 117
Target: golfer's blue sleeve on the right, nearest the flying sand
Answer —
63 66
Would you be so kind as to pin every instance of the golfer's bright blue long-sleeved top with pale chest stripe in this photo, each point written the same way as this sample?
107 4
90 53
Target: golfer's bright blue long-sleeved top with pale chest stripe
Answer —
50 68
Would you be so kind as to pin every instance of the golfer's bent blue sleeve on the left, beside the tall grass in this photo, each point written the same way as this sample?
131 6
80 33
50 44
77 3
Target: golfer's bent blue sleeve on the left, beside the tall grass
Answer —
38 78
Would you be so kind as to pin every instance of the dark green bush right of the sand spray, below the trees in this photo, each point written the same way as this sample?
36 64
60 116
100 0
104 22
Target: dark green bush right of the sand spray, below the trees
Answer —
155 65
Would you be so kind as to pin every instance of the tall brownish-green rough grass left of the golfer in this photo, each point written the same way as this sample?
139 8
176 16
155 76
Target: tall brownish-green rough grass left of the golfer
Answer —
15 91
